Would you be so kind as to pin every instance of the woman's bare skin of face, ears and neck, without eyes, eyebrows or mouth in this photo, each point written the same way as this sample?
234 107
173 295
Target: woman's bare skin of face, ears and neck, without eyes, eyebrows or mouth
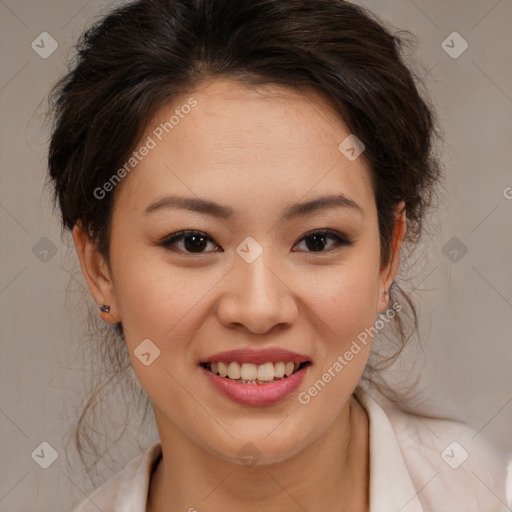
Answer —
257 151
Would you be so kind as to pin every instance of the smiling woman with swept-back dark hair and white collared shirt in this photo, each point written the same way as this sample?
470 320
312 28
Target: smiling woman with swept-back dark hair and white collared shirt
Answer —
241 179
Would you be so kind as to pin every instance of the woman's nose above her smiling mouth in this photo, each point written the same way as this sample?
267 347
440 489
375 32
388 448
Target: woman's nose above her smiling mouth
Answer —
256 298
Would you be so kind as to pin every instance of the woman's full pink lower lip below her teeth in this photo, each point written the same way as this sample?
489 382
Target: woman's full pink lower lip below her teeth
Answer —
256 394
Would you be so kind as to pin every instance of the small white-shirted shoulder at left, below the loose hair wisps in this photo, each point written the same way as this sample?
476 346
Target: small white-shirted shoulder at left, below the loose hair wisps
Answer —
126 490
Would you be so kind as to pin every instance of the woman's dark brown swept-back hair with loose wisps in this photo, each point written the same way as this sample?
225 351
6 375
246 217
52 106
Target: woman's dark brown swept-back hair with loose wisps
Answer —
146 53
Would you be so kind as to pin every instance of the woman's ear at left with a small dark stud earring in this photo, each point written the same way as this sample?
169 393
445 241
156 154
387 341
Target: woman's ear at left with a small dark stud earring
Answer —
96 273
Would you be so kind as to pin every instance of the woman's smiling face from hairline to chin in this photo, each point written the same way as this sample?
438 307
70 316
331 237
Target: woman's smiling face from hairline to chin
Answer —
252 276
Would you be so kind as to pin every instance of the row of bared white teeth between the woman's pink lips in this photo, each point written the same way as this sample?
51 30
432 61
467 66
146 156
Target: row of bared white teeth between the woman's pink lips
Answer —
250 373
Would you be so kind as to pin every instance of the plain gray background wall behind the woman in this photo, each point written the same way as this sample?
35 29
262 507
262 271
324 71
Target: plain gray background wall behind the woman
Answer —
466 305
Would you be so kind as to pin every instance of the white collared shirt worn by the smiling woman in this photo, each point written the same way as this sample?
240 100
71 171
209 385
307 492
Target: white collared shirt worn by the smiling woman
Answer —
417 464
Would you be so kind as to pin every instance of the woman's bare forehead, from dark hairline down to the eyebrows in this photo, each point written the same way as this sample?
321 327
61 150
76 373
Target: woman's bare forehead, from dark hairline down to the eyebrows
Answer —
236 141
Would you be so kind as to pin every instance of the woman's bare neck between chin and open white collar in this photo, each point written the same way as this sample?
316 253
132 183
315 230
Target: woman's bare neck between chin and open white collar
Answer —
333 469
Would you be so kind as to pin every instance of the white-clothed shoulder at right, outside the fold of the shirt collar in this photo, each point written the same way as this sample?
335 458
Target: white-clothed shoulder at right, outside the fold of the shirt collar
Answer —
452 466
